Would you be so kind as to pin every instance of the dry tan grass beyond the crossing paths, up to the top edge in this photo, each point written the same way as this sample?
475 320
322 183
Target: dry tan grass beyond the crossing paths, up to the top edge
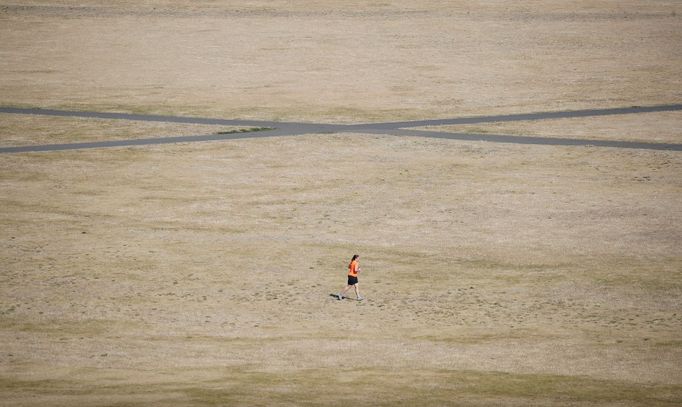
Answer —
345 61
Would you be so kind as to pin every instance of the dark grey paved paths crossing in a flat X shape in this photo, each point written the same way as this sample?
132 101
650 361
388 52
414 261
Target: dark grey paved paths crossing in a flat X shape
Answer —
388 128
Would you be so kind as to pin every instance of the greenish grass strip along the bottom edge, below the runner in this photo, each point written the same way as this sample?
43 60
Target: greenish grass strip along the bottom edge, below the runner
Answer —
384 387
